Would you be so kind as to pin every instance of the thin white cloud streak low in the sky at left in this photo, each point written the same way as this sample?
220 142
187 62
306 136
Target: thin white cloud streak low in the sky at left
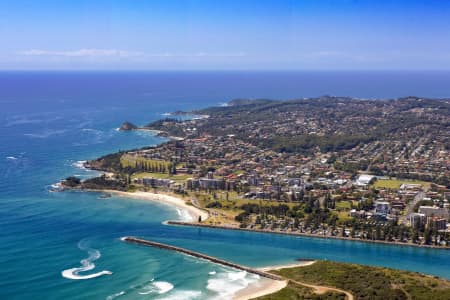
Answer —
82 53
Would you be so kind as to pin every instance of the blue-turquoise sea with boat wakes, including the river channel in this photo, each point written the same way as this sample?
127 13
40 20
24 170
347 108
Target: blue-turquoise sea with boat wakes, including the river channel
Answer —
49 121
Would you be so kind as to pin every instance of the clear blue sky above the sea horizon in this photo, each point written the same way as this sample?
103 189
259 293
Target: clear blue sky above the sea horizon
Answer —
225 35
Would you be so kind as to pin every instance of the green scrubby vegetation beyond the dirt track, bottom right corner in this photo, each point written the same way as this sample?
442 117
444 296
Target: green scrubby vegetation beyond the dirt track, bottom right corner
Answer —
366 282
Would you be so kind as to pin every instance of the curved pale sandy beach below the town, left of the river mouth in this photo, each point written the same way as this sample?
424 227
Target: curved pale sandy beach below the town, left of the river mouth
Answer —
193 211
